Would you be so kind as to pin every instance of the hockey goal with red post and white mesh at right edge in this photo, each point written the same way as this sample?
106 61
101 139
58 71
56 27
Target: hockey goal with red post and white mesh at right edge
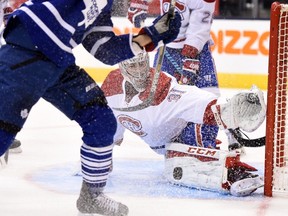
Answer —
276 156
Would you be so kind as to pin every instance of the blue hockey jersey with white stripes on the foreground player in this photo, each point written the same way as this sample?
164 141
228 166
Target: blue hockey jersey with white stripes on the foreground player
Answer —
57 26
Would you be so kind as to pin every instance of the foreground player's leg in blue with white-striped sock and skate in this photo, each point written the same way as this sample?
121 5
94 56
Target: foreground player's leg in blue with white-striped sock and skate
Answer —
81 99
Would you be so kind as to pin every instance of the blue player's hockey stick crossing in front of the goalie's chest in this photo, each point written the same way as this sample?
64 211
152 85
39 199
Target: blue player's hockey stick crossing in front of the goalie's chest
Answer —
148 102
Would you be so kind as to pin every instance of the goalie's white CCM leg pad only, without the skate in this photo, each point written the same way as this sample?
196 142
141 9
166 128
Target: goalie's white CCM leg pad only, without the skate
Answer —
196 167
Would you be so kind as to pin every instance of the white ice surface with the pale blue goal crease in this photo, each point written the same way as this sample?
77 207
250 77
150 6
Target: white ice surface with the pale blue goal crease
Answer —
40 180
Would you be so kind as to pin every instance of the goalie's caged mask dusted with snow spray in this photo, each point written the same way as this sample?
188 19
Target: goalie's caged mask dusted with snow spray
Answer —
136 70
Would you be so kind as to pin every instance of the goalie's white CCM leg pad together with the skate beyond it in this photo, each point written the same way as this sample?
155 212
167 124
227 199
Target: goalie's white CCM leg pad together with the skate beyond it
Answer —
210 169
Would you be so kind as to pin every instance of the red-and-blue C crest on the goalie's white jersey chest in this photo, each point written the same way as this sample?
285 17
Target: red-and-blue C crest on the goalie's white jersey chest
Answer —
131 124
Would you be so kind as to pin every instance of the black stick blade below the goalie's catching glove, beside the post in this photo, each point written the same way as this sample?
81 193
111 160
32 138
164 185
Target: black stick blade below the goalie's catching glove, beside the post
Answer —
258 142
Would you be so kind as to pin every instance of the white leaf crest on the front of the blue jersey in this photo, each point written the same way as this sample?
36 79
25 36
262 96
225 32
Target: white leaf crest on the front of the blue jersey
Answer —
92 10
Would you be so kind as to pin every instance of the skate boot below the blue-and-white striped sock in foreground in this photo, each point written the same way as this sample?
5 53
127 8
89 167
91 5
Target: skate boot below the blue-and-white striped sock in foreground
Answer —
90 204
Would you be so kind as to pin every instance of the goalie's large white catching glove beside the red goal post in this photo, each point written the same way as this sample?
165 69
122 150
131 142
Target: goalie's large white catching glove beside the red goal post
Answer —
246 110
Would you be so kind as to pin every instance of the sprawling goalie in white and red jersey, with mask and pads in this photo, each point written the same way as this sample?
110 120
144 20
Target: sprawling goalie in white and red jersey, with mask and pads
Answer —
159 125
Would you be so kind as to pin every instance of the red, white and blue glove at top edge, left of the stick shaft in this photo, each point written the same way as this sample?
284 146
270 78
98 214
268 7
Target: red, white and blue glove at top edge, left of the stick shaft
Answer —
137 12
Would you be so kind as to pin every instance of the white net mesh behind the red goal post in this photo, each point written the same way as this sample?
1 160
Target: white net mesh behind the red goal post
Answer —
280 169
